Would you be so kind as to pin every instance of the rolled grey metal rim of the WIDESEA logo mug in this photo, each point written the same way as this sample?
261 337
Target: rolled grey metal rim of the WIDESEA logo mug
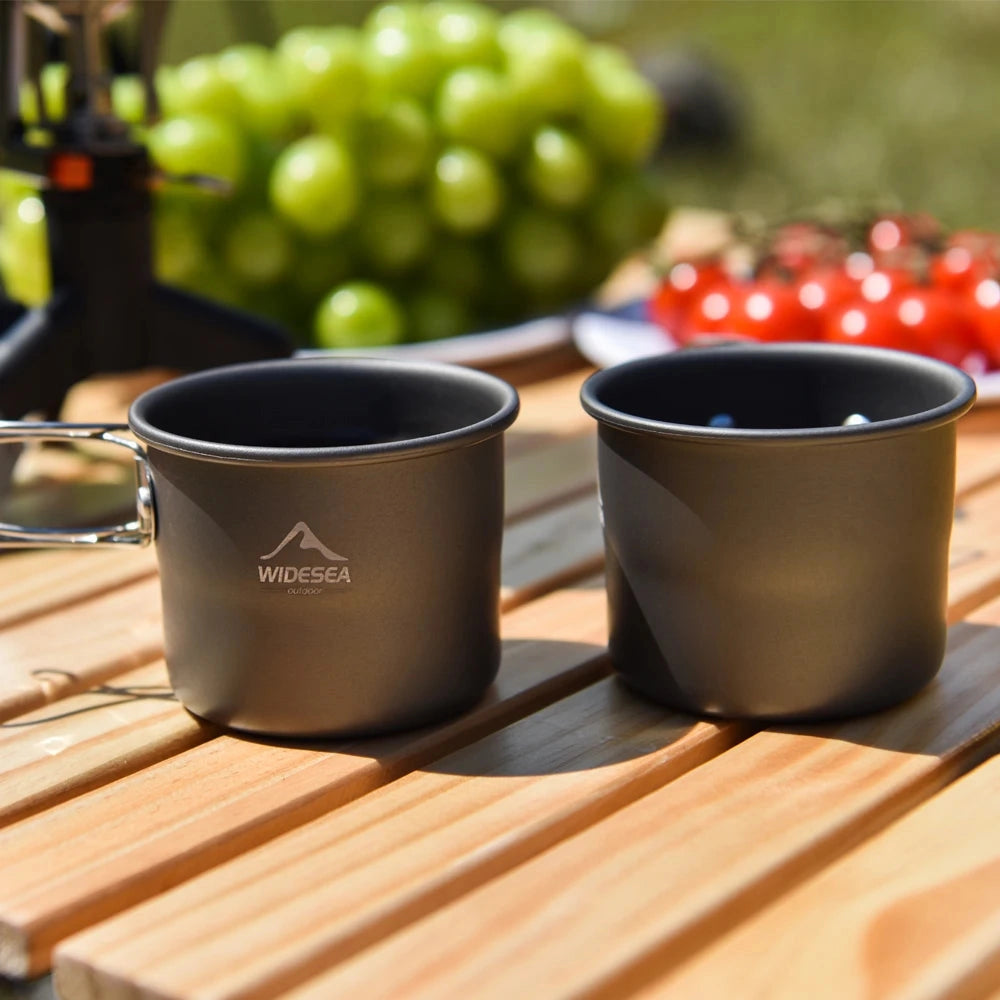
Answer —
498 421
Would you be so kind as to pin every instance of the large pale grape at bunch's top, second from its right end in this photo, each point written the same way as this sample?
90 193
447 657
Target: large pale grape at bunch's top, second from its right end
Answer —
544 60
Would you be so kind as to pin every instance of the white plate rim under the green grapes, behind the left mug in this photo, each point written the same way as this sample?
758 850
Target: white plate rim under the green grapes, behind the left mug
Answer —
488 348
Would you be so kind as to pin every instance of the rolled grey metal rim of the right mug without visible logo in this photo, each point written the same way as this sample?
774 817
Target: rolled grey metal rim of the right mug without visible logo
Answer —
963 395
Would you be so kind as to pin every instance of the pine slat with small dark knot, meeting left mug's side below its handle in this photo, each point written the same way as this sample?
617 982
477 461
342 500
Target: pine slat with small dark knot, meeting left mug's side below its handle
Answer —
73 648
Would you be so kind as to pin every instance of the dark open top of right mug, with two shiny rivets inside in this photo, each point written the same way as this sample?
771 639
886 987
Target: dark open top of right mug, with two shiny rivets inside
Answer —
809 388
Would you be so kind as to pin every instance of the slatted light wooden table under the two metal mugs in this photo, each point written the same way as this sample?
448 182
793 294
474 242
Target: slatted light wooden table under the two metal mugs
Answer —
563 839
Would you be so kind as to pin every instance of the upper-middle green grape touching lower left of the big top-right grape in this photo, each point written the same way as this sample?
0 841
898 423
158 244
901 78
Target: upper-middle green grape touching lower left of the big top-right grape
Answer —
476 107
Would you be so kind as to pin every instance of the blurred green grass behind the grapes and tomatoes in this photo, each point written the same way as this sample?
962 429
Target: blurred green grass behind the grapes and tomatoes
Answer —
857 103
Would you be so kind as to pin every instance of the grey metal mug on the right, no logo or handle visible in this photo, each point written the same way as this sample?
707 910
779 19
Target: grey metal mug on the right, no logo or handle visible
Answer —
776 523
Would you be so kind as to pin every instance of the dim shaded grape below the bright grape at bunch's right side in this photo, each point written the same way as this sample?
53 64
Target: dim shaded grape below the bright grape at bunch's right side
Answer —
540 249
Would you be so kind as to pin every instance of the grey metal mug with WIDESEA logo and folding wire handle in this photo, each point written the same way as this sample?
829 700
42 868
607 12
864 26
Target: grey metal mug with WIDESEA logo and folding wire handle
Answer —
328 535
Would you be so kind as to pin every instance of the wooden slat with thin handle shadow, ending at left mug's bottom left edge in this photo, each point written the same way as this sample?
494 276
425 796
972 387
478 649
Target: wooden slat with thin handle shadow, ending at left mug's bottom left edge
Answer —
91 739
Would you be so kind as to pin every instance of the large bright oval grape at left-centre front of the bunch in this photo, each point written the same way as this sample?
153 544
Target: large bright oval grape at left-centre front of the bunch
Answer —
314 186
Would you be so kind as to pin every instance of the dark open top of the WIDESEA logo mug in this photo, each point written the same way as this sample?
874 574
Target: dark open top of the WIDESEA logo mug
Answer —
302 407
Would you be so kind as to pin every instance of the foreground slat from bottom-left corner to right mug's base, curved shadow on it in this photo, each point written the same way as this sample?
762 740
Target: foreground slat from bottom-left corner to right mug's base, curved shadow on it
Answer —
272 918
